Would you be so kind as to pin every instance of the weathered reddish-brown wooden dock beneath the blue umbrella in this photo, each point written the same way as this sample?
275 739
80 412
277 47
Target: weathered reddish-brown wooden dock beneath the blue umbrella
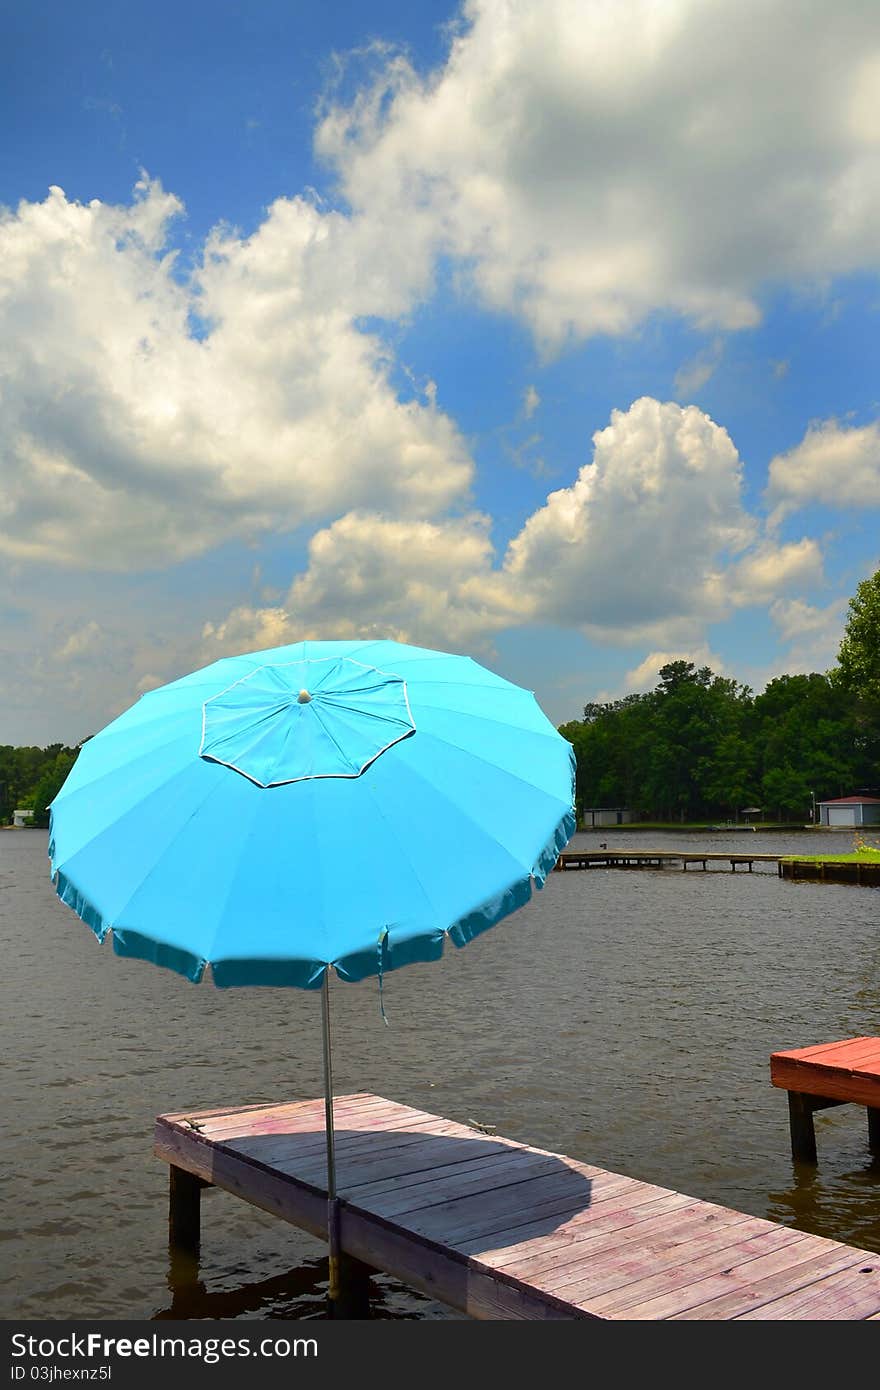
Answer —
504 1231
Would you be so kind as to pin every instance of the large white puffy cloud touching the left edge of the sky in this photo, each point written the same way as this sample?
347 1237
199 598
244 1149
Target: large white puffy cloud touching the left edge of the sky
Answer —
131 440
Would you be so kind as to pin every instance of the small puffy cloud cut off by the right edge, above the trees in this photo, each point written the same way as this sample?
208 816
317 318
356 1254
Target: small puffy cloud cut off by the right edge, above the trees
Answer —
839 465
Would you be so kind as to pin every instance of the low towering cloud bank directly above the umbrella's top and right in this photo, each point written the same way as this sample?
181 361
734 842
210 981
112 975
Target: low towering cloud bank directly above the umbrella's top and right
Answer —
650 543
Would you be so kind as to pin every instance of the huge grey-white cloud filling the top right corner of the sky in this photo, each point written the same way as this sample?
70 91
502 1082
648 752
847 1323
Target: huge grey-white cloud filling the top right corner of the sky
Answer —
593 163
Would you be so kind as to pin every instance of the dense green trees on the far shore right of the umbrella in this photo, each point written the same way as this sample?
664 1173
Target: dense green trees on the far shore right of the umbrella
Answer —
704 747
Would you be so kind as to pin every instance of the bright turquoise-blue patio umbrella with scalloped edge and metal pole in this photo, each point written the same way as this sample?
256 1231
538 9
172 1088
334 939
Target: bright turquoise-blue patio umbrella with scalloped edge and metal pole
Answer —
326 804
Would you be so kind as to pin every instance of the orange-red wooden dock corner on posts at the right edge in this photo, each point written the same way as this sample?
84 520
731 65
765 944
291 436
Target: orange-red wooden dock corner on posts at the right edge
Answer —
829 1074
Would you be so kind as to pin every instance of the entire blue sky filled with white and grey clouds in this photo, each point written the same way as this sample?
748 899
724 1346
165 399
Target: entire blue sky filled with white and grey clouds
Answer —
543 332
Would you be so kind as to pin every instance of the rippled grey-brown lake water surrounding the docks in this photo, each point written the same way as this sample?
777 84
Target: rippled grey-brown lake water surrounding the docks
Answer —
624 1018
